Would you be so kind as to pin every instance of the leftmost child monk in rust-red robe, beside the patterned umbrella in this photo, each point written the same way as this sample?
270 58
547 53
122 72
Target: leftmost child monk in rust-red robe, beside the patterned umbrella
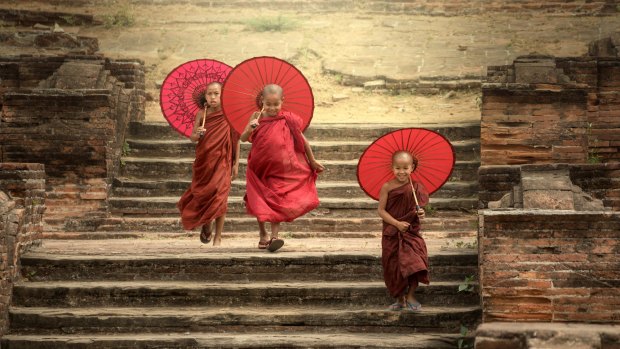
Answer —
216 165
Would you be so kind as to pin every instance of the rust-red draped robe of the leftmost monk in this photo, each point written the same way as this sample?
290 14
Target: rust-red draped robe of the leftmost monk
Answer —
207 196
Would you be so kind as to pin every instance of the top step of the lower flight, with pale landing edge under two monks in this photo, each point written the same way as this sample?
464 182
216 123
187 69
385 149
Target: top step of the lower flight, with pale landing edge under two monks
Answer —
237 260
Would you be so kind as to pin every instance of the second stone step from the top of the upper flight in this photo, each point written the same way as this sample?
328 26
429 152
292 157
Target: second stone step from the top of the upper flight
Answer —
467 150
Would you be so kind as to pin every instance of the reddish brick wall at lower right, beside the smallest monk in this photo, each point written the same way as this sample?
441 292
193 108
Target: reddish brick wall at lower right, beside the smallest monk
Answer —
542 265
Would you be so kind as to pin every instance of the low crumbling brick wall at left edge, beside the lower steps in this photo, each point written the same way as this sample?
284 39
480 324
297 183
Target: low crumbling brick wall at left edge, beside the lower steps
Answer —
22 203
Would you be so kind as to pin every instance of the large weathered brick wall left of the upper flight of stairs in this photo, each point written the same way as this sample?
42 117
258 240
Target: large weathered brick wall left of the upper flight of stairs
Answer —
74 122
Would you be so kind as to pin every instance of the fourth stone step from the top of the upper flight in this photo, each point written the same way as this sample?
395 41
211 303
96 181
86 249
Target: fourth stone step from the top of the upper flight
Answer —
126 187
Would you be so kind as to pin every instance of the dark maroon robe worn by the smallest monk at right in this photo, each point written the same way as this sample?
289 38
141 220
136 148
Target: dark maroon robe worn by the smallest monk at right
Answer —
404 256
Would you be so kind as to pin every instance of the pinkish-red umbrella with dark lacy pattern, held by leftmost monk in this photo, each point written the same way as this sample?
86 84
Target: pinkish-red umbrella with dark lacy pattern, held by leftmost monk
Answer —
182 89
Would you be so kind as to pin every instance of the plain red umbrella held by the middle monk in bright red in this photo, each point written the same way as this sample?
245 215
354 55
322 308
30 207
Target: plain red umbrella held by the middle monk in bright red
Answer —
243 87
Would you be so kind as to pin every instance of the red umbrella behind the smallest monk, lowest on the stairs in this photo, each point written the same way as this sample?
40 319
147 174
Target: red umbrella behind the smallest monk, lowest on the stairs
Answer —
433 152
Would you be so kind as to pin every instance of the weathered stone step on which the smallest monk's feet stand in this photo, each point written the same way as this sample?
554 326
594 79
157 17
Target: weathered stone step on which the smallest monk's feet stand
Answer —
239 319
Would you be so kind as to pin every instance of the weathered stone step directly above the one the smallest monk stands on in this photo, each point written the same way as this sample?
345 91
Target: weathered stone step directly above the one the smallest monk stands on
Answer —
190 293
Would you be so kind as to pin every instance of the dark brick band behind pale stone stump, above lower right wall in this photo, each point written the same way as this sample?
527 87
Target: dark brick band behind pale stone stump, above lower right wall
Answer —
602 181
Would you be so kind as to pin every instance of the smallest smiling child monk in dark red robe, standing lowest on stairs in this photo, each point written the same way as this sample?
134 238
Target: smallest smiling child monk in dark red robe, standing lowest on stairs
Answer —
404 257
